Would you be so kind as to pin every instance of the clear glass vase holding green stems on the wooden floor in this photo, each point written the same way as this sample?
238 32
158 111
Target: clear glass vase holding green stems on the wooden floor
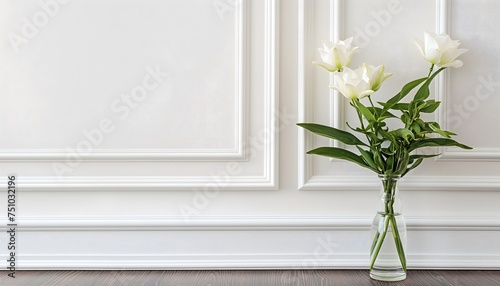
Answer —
388 233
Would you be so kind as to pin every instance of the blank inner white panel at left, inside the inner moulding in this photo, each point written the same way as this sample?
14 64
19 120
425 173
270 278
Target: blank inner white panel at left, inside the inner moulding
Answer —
124 83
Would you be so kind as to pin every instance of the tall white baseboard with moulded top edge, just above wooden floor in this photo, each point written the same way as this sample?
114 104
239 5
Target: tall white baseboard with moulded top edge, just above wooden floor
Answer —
151 242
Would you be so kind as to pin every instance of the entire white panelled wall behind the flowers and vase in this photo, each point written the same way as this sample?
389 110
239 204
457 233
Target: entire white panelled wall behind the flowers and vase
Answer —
203 166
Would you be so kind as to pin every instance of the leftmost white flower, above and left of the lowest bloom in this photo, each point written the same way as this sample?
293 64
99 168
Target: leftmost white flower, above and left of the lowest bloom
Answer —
336 55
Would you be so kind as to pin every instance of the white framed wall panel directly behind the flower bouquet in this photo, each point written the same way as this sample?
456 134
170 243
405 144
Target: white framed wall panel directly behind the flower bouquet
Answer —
385 32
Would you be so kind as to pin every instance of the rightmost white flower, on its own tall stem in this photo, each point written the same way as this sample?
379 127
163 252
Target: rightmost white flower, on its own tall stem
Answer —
441 50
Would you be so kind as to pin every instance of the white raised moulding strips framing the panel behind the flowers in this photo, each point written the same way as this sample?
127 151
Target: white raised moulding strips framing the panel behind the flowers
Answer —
306 178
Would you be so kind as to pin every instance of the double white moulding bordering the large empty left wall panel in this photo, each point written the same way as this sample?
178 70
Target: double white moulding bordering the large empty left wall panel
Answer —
267 136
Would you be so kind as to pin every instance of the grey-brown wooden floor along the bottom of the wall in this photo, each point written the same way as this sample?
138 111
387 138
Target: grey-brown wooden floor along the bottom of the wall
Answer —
246 277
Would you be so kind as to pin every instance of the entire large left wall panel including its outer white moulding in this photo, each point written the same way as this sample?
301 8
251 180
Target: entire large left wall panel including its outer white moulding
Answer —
149 94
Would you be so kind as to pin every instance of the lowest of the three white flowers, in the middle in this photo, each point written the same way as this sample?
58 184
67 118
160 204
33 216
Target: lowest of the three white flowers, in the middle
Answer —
353 83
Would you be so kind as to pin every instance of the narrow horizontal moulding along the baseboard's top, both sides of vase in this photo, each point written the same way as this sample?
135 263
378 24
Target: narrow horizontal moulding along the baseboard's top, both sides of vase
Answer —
253 223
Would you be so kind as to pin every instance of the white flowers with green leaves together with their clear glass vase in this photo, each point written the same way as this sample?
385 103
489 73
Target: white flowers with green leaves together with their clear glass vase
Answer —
391 153
